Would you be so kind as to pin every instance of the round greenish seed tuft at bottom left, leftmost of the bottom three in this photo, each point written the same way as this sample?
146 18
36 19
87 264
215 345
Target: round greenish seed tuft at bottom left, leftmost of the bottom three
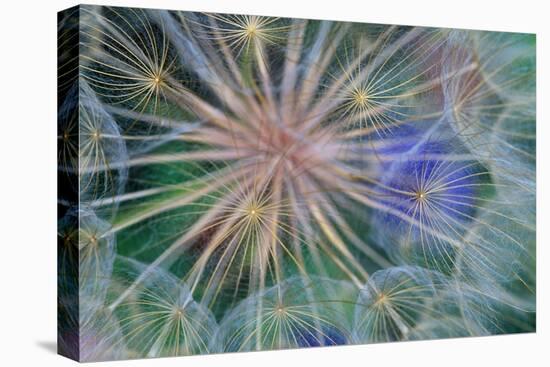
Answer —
177 324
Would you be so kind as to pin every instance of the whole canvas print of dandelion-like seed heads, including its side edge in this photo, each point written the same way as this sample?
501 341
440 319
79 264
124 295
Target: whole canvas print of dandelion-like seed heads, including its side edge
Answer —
234 183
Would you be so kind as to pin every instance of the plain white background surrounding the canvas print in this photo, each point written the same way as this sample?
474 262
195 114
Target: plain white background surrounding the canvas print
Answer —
28 183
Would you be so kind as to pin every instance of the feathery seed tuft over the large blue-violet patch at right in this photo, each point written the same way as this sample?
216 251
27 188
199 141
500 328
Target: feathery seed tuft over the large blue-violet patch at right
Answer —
435 202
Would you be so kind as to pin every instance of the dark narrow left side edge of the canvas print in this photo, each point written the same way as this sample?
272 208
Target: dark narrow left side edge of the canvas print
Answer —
67 183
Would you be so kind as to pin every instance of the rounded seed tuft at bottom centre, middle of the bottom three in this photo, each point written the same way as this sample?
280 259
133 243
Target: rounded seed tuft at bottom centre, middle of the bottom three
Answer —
288 315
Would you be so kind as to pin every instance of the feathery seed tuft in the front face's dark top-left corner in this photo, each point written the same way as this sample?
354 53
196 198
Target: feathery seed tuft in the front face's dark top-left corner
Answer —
131 69
